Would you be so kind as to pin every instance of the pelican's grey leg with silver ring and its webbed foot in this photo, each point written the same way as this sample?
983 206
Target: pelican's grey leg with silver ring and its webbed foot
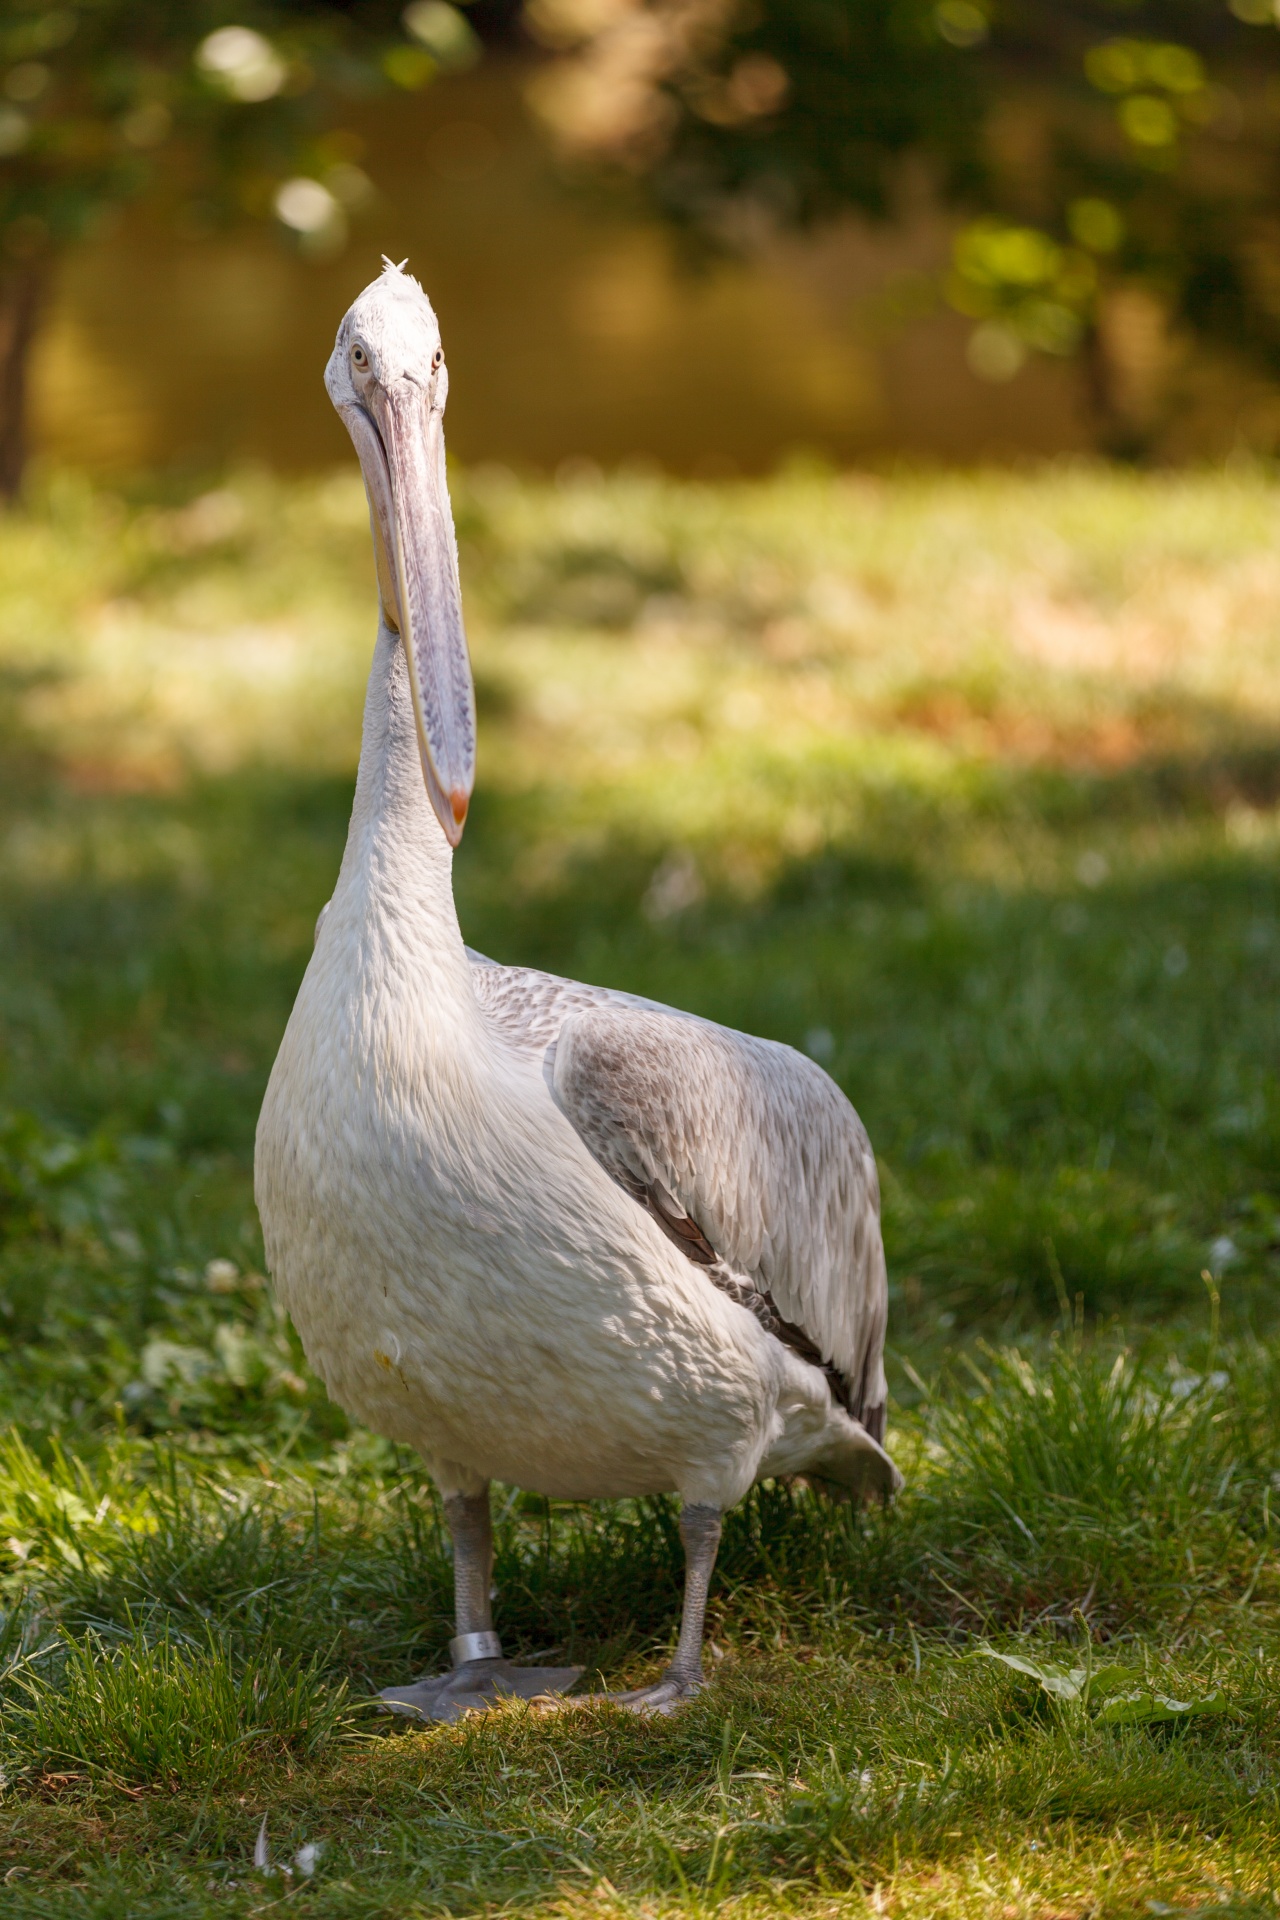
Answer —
481 1673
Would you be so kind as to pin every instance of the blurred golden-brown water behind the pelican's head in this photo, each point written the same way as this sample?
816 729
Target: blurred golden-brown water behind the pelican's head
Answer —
577 324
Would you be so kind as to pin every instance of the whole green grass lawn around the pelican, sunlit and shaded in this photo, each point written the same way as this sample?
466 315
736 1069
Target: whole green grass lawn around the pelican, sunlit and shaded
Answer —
966 784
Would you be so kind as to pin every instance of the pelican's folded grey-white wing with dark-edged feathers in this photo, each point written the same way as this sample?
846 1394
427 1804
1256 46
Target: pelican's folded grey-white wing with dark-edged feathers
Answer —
742 1149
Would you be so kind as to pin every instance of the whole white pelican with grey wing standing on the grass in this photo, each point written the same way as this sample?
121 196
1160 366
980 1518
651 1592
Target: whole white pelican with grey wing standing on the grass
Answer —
544 1234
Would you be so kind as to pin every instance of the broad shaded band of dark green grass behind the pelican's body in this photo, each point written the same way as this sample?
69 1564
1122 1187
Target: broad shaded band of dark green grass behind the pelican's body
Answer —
1070 1088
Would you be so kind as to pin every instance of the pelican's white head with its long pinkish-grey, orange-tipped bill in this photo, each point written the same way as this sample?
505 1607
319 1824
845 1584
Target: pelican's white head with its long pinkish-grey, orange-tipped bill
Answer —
389 381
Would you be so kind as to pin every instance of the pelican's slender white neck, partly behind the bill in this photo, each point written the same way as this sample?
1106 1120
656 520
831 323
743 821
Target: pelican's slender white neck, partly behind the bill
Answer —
398 867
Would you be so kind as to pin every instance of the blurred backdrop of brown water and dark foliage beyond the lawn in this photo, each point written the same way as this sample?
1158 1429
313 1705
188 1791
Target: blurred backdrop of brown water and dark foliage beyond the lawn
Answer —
684 231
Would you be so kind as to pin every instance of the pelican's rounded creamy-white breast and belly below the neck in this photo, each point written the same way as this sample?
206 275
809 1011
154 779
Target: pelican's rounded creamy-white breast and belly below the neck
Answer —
467 1280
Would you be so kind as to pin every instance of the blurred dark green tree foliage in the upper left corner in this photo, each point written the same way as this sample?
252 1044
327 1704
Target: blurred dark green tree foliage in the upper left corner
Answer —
214 108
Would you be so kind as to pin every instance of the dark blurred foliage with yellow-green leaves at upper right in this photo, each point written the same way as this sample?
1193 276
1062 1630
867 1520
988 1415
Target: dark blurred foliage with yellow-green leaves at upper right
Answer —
1093 145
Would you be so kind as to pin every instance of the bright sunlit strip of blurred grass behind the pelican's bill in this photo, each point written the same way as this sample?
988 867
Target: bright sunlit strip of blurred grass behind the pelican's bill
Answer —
636 629
